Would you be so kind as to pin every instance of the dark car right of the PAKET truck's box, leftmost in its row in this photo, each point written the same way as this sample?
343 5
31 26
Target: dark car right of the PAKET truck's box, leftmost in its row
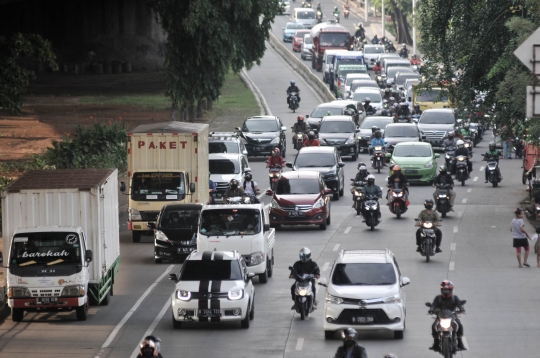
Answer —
262 134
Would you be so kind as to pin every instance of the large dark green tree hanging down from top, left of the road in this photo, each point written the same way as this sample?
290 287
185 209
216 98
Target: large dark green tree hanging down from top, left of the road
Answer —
206 38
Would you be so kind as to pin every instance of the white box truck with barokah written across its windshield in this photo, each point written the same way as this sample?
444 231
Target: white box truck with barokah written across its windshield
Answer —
61 240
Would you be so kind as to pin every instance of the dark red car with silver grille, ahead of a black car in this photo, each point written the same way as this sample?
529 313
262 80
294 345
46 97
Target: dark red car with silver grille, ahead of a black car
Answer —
300 198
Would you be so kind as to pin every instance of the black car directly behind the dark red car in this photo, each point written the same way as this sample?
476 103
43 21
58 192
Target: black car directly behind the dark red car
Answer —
325 160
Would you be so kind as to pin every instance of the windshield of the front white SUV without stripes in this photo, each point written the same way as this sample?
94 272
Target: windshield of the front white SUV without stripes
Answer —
365 274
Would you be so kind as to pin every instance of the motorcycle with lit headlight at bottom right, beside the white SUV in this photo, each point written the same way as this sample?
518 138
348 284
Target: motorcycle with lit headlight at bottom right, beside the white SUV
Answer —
446 327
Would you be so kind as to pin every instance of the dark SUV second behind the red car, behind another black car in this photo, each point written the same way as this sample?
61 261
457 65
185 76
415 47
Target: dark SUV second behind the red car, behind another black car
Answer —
340 132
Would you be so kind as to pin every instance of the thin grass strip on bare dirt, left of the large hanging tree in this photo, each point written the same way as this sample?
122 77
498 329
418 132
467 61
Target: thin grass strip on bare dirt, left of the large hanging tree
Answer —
151 101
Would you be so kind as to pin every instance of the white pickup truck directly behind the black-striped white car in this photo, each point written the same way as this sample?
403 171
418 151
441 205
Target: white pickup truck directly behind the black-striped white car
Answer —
239 227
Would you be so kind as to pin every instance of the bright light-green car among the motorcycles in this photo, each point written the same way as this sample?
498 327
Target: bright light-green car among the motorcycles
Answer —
417 161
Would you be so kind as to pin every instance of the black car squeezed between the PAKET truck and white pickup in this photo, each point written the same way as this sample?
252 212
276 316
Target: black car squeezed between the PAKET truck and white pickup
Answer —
175 232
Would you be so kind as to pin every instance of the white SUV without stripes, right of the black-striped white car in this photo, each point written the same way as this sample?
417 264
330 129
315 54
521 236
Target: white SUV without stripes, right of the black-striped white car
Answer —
366 292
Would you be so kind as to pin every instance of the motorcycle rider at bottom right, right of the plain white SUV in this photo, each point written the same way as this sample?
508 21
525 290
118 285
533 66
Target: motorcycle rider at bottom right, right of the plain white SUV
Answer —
447 301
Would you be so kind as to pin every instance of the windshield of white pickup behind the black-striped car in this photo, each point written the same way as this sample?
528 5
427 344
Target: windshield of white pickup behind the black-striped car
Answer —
226 222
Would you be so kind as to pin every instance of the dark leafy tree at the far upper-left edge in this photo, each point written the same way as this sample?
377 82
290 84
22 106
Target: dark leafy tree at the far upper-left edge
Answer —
17 54
